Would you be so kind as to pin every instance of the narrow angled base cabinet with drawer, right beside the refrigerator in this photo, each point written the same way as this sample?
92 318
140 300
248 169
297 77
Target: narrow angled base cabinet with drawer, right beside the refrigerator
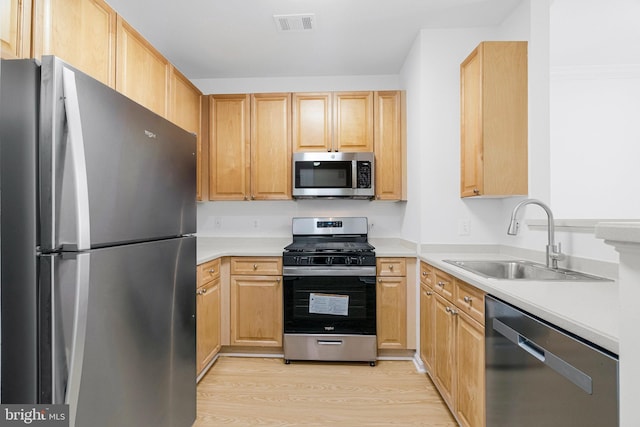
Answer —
208 313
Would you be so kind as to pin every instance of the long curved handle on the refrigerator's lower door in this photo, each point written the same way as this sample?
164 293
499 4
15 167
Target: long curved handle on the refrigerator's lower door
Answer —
79 333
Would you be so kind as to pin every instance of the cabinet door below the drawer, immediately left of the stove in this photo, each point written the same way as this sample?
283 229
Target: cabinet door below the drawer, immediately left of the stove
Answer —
256 311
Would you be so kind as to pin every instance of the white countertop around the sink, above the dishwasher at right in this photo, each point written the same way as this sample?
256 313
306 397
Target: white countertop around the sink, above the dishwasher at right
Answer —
587 309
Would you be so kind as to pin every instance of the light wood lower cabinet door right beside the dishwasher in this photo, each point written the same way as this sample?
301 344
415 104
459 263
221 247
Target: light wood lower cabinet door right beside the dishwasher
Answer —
470 388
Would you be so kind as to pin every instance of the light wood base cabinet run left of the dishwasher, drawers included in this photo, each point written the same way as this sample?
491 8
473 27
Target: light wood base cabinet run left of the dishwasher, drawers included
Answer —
452 343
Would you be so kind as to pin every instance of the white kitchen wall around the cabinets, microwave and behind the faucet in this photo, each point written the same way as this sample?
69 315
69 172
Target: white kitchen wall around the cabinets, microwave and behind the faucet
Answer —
434 211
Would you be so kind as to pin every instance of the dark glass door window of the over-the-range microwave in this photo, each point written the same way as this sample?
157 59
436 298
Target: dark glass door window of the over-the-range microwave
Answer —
335 174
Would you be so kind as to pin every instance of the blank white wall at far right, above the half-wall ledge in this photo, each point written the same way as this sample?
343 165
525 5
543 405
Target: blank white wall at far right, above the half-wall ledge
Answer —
595 105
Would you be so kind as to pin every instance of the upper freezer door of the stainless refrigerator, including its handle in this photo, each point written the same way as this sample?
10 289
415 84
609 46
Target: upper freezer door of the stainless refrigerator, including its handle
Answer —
111 171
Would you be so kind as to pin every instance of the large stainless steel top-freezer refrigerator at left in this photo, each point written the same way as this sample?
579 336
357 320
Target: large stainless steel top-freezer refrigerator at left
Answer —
98 253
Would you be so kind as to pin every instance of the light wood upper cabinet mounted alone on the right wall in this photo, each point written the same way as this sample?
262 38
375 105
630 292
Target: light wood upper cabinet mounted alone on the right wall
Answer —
493 87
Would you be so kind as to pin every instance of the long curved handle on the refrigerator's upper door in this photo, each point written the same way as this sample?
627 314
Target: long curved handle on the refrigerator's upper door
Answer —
76 145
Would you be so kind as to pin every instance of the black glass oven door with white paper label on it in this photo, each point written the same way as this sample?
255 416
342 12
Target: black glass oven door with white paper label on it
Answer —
330 305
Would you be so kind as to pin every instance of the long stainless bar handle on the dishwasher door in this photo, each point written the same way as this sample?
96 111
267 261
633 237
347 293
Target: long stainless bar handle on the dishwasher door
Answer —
570 372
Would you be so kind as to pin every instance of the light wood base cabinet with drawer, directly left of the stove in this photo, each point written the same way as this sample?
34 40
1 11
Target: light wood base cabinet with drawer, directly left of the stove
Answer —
256 301
